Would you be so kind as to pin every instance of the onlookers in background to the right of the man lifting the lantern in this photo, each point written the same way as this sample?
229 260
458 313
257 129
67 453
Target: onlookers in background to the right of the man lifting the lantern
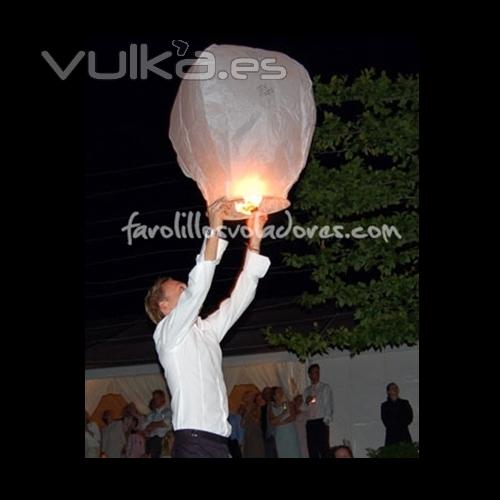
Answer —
267 425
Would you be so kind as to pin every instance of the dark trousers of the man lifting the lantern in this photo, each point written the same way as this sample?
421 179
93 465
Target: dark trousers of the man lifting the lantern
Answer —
191 443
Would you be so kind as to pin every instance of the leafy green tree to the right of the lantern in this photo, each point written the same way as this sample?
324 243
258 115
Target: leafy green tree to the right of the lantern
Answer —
362 173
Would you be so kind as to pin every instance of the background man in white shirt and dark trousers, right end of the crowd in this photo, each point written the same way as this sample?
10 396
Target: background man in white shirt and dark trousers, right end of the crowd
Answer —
319 404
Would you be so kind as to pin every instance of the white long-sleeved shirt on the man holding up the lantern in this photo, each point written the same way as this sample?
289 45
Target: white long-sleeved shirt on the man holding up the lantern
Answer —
188 346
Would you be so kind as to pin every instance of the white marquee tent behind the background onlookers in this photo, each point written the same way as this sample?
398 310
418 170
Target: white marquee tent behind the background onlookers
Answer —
358 385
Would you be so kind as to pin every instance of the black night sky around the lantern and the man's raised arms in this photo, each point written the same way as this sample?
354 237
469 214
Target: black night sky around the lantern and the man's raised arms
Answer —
130 166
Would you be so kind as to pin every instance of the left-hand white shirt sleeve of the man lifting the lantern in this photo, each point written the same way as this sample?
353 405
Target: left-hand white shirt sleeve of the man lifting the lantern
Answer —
174 328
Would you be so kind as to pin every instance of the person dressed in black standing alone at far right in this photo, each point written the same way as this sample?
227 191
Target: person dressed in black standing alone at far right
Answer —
397 415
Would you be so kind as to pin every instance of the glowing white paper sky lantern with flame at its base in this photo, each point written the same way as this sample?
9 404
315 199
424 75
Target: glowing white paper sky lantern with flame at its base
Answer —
242 125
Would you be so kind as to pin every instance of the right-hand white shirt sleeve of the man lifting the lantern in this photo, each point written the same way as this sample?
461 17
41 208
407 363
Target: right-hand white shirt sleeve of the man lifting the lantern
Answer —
232 308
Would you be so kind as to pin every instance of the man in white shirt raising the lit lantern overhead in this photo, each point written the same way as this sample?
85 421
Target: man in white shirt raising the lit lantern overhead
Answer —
188 346
